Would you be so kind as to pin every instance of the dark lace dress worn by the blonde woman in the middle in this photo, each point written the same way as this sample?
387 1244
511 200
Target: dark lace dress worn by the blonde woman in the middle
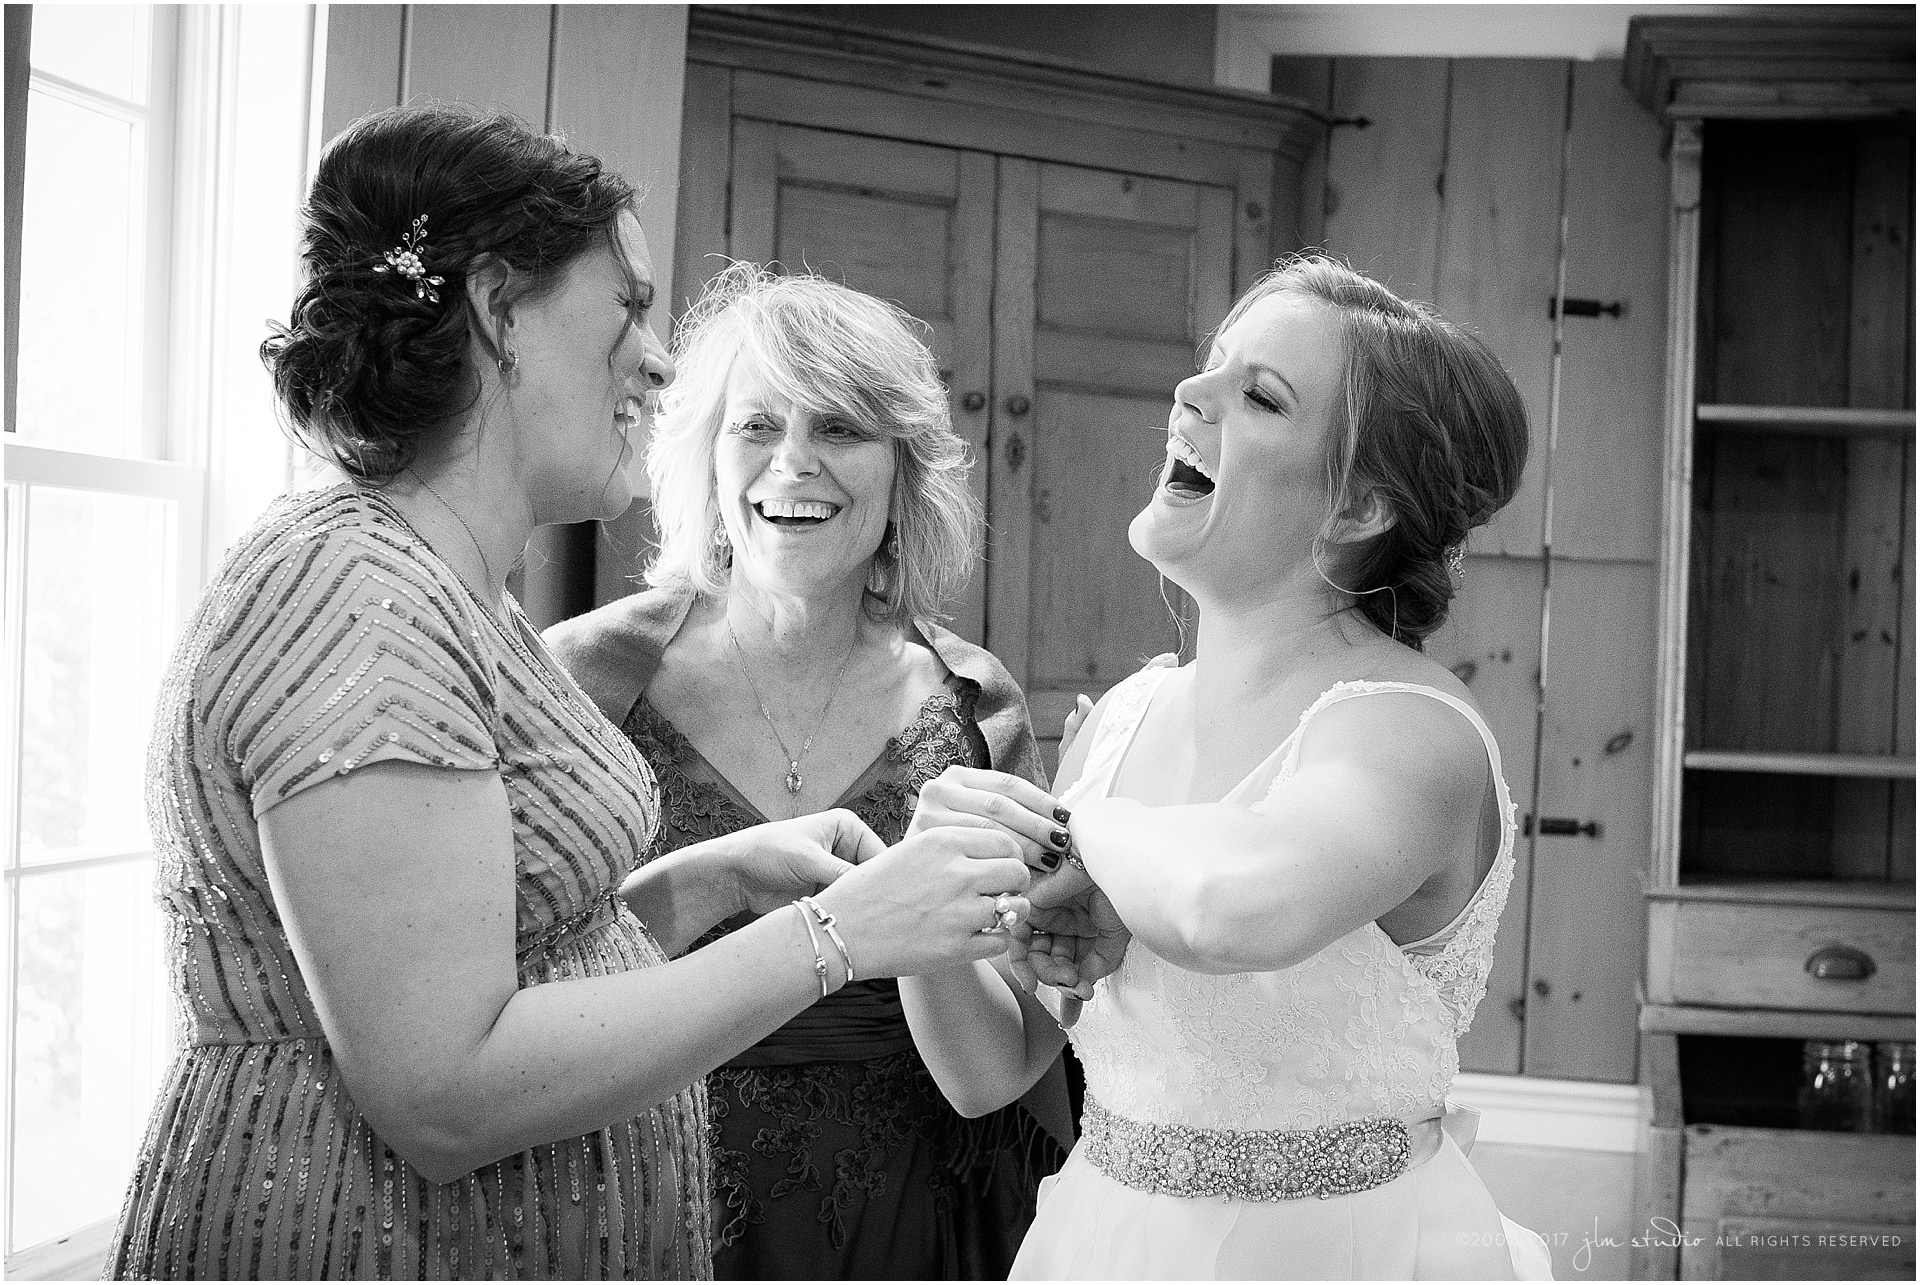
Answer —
836 1157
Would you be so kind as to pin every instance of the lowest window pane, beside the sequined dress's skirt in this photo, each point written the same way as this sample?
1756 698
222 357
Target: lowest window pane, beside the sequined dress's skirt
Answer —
85 1044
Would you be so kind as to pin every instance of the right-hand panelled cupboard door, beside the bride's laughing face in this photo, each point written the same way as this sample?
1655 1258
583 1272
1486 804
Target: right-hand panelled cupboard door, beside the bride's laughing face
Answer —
1105 287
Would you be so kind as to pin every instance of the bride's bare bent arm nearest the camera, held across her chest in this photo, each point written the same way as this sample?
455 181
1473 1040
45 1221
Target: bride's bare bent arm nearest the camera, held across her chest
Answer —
1387 796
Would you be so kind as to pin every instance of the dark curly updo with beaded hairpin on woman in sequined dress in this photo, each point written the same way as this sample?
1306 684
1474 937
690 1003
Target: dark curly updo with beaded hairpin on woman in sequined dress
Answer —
370 368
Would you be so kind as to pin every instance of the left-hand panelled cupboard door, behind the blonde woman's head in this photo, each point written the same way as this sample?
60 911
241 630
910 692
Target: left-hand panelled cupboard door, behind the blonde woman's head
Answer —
898 220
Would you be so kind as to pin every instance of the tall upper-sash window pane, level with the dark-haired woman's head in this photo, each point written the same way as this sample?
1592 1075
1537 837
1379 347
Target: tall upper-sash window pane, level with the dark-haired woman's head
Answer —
80 283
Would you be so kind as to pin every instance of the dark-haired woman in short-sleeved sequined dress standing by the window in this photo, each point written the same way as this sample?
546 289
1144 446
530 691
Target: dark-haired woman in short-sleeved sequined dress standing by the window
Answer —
433 1025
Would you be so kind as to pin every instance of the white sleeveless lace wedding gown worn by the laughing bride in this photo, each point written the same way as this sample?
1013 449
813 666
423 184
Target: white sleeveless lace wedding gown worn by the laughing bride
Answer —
1182 1067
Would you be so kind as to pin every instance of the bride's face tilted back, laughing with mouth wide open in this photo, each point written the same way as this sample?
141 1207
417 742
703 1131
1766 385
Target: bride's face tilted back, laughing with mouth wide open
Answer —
1245 491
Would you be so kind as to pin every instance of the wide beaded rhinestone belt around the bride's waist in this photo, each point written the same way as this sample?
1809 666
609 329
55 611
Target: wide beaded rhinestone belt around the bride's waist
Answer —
1247 1165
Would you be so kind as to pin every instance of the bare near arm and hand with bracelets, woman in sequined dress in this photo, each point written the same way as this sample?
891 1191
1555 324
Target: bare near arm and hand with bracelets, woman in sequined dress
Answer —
398 894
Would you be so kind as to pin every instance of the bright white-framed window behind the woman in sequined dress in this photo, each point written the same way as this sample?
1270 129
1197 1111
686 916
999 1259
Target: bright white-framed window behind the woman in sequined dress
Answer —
139 441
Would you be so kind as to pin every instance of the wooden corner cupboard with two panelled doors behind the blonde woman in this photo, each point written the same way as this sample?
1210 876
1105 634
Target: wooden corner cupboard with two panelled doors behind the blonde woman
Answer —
1068 237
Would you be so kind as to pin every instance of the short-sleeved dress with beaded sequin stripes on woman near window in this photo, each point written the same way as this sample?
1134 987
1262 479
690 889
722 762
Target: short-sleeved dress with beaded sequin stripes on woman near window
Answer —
331 639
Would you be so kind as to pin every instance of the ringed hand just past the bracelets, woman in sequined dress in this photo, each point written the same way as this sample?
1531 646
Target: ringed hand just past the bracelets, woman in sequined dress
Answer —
928 902
